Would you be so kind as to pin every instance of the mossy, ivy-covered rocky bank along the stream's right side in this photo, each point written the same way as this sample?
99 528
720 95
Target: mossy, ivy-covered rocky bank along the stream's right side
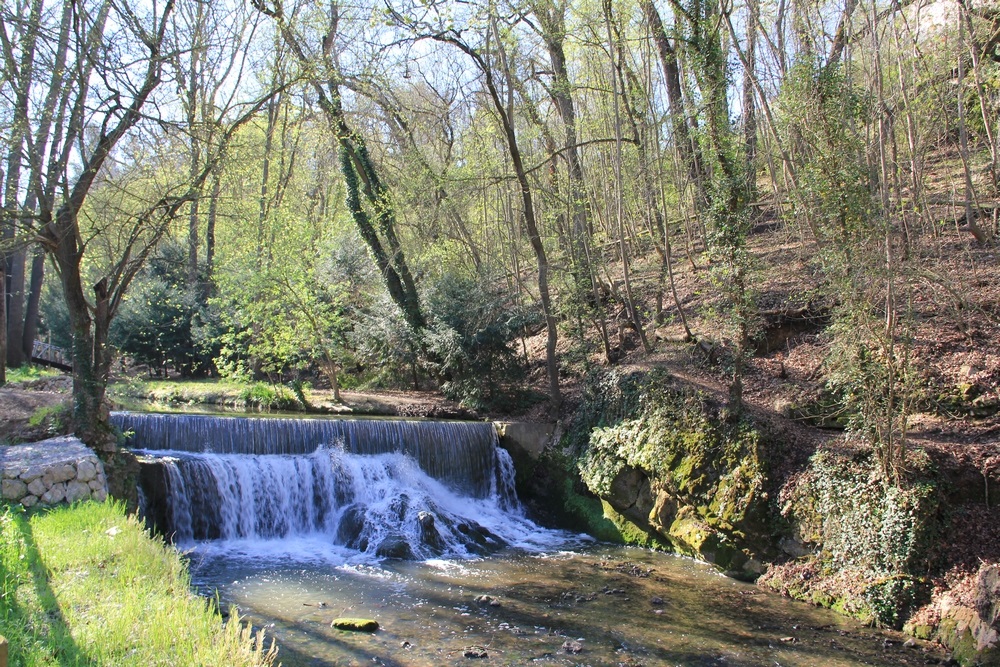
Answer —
674 470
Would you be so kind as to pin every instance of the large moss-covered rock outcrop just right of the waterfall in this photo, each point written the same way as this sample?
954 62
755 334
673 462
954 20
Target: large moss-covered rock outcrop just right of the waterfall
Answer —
668 462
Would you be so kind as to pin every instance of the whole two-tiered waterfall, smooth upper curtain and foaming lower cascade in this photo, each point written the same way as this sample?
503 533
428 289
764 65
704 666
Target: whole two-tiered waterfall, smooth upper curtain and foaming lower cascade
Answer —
397 489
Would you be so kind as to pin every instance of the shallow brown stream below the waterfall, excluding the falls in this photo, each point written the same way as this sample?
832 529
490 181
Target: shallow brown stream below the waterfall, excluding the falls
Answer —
598 605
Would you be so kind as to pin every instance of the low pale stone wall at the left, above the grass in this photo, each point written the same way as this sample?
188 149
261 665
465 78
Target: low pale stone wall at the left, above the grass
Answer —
52 471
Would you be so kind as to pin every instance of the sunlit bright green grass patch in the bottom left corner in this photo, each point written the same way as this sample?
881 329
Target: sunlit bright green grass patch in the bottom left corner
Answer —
87 585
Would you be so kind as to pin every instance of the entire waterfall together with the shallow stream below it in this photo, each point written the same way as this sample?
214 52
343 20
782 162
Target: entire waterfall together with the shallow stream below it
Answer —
294 522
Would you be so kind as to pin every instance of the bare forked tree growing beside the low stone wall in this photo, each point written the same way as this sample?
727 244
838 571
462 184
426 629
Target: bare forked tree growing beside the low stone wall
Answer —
114 64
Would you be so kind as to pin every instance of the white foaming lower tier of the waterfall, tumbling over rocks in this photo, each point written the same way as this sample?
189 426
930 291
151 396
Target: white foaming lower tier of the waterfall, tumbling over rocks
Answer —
337 507
